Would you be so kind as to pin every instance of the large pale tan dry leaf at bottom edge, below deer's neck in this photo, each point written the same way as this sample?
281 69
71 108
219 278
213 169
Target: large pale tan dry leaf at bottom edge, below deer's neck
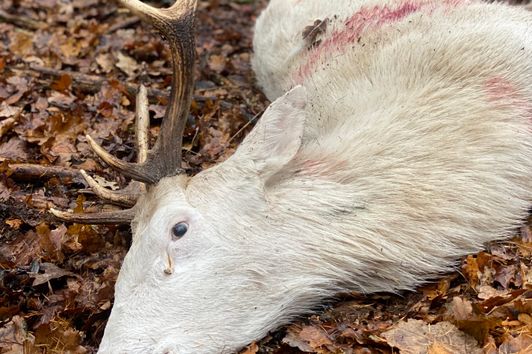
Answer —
418 337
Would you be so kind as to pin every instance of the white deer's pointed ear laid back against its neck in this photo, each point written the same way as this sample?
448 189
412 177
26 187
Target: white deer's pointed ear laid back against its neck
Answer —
277 136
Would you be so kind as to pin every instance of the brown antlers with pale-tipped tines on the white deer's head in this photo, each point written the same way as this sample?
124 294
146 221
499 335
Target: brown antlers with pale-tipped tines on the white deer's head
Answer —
164 159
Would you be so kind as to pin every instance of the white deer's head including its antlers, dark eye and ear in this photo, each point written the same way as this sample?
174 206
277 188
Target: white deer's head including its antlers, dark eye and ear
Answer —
189 233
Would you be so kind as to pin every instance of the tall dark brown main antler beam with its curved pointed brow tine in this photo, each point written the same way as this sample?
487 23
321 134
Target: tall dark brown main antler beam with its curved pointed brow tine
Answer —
176 24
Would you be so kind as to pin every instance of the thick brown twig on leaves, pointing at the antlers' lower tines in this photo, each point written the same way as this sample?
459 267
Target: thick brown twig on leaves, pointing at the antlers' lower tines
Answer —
28 172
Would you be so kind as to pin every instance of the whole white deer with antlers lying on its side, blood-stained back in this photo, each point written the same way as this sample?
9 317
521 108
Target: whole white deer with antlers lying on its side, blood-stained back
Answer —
403 143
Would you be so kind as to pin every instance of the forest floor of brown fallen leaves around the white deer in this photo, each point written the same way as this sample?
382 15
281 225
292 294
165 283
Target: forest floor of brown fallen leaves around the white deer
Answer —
72 67
